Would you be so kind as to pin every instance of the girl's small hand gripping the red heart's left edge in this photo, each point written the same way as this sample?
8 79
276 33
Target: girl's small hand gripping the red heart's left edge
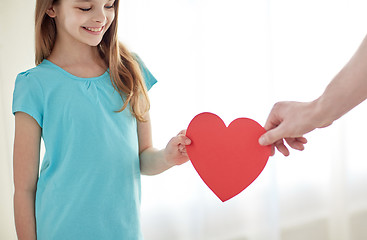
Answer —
175 151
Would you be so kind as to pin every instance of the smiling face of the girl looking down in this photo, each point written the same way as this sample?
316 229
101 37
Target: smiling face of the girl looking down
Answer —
85 21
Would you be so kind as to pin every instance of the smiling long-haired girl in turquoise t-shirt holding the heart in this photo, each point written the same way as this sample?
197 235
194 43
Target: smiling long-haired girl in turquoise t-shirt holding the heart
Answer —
87 98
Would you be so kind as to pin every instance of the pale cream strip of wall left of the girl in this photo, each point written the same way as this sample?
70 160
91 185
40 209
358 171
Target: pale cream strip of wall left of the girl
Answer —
16 55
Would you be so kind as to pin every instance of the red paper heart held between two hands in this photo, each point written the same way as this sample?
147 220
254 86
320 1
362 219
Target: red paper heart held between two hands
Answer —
228 159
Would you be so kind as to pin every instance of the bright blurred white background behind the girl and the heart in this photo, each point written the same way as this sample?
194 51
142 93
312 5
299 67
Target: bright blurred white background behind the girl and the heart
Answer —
235 58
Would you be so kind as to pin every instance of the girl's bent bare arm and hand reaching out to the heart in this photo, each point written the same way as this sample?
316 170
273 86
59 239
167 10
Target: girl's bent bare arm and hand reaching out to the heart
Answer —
153 161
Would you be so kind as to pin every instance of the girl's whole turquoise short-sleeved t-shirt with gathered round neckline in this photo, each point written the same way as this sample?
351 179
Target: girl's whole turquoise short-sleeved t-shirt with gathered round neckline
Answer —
89 183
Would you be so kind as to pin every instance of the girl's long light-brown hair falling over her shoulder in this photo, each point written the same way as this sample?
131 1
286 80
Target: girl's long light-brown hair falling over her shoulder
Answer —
124 70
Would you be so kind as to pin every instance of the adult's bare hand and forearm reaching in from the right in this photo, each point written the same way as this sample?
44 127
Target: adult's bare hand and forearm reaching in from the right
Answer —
290 120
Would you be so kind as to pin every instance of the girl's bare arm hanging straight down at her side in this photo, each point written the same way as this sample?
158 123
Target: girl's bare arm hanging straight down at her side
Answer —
26 161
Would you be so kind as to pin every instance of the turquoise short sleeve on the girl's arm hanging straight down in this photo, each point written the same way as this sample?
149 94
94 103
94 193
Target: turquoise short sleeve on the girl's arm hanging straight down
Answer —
28 97
